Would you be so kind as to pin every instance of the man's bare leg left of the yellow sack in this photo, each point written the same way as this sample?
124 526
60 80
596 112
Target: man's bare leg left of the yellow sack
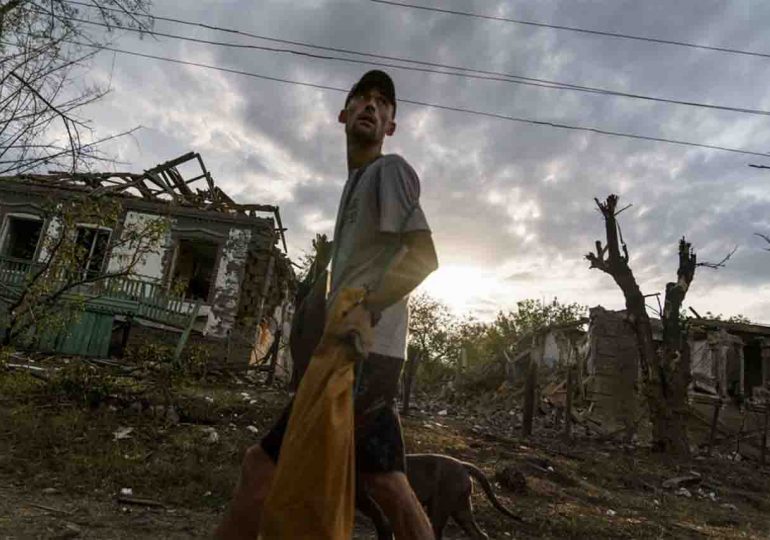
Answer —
241 520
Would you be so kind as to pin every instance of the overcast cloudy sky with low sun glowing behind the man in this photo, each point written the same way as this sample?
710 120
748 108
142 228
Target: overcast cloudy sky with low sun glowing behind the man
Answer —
511 205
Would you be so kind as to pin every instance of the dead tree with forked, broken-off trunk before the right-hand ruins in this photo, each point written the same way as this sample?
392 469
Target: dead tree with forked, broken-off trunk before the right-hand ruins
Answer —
665 368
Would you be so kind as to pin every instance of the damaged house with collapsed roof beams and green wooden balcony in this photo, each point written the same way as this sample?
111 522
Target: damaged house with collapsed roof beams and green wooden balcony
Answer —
216 273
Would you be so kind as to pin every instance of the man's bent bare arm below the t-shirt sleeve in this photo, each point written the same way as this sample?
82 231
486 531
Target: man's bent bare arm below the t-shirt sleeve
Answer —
409 271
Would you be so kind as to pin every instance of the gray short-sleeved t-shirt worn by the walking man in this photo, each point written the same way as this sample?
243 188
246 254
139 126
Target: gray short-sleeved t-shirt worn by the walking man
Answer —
383 198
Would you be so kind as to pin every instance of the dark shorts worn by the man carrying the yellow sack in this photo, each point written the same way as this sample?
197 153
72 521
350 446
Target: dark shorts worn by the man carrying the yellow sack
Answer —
379 441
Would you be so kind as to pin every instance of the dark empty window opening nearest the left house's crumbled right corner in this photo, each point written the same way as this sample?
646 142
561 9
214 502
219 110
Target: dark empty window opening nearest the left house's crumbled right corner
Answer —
194 268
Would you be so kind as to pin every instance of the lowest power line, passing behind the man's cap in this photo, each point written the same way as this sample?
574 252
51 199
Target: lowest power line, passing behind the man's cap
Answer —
431 105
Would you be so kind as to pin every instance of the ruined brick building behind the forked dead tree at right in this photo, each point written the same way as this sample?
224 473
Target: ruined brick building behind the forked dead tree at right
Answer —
730 366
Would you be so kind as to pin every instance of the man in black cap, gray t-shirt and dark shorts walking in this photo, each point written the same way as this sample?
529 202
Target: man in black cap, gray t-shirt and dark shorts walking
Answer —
382 242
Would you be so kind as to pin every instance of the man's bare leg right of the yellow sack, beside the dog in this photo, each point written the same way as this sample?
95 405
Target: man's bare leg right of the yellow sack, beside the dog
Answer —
392 492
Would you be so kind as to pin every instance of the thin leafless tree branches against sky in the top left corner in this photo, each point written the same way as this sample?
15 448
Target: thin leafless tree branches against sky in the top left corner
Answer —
42 45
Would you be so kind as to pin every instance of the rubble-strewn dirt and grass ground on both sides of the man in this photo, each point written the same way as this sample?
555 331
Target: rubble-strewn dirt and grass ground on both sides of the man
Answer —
66 454
